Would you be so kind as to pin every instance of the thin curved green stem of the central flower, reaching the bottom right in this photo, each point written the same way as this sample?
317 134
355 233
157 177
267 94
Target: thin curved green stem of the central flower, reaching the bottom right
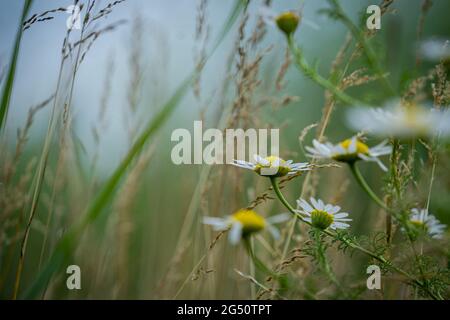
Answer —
353 245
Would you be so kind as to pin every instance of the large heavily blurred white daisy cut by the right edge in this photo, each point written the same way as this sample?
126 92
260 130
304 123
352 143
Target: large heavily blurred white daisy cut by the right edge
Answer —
401 121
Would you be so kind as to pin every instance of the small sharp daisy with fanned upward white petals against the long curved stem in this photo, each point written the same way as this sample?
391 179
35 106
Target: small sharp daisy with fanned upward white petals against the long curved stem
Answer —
321 215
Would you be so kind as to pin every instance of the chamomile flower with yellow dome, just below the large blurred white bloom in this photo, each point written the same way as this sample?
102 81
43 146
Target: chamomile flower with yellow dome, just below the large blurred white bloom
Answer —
349 150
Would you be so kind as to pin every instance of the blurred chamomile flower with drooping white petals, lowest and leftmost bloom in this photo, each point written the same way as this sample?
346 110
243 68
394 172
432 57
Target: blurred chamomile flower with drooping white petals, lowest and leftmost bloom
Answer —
244 222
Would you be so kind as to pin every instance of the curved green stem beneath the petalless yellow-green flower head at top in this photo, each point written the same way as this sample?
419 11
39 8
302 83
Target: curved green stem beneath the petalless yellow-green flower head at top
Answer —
311 73
